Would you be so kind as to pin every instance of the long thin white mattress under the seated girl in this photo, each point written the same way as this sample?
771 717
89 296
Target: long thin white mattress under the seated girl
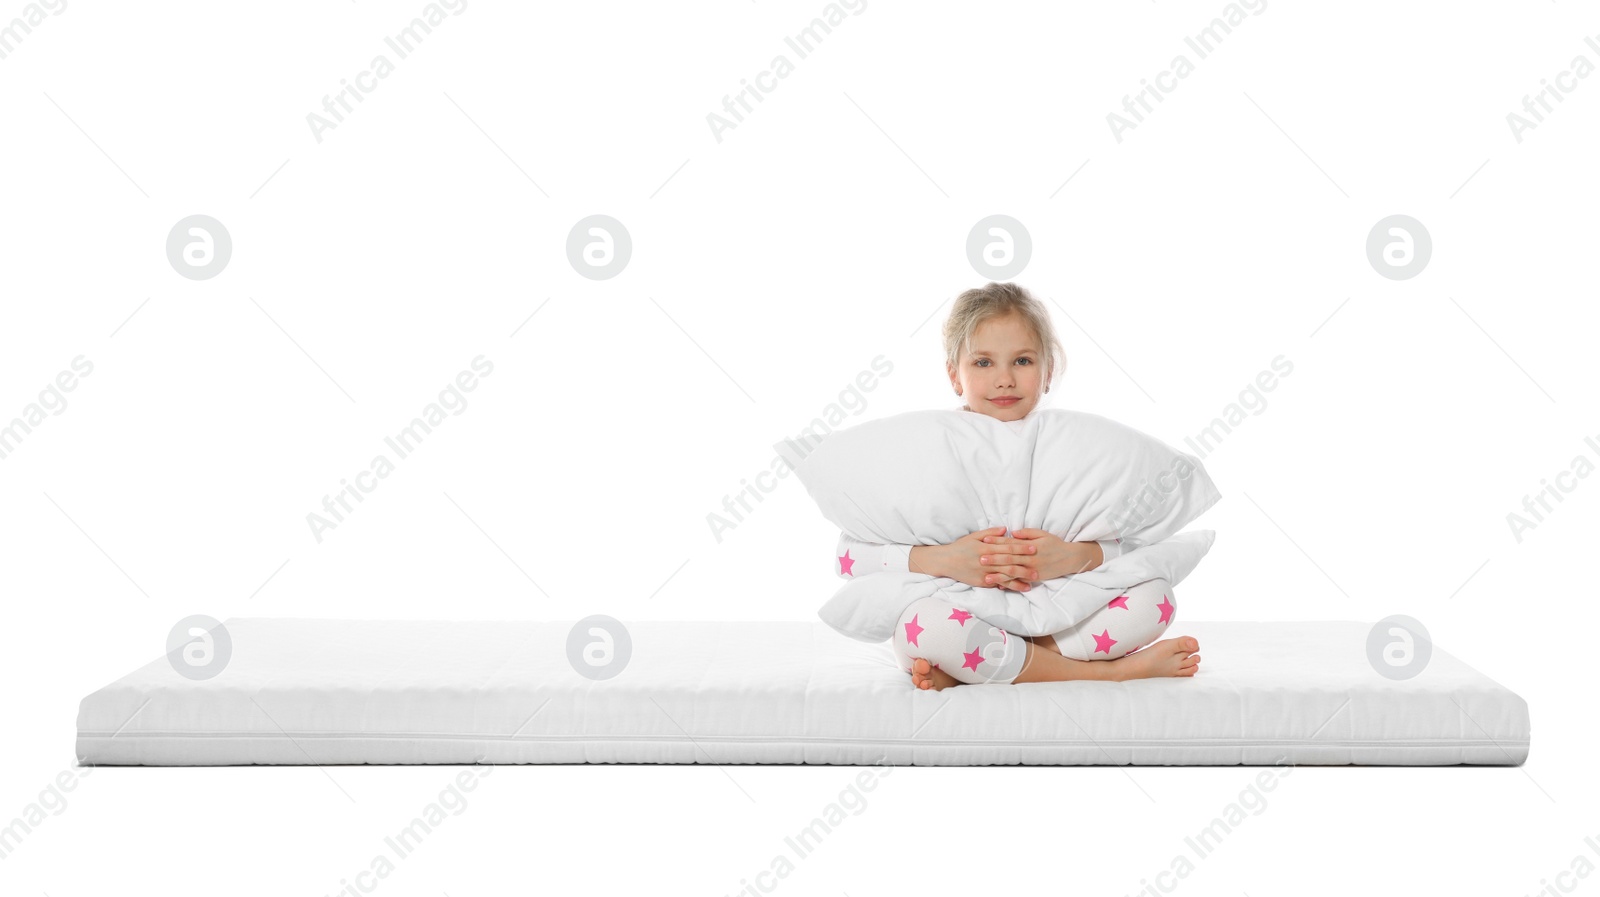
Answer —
364 692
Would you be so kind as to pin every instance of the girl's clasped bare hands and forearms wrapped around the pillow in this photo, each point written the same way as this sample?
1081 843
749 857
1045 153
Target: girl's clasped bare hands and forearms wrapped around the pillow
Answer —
991 560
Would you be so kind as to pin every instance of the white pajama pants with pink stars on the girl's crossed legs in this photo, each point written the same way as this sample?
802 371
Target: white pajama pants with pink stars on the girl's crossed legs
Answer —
975 652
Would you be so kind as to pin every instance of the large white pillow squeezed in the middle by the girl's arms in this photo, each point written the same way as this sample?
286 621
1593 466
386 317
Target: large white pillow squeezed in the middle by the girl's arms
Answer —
932 477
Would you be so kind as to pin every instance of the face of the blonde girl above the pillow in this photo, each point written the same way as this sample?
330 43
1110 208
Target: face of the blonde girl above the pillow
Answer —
1006 362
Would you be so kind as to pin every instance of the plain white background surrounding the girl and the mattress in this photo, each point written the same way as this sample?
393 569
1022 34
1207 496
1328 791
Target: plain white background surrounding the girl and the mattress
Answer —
769 271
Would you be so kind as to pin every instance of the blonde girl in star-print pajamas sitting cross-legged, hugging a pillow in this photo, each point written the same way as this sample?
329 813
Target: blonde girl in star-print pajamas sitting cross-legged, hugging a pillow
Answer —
994 343
